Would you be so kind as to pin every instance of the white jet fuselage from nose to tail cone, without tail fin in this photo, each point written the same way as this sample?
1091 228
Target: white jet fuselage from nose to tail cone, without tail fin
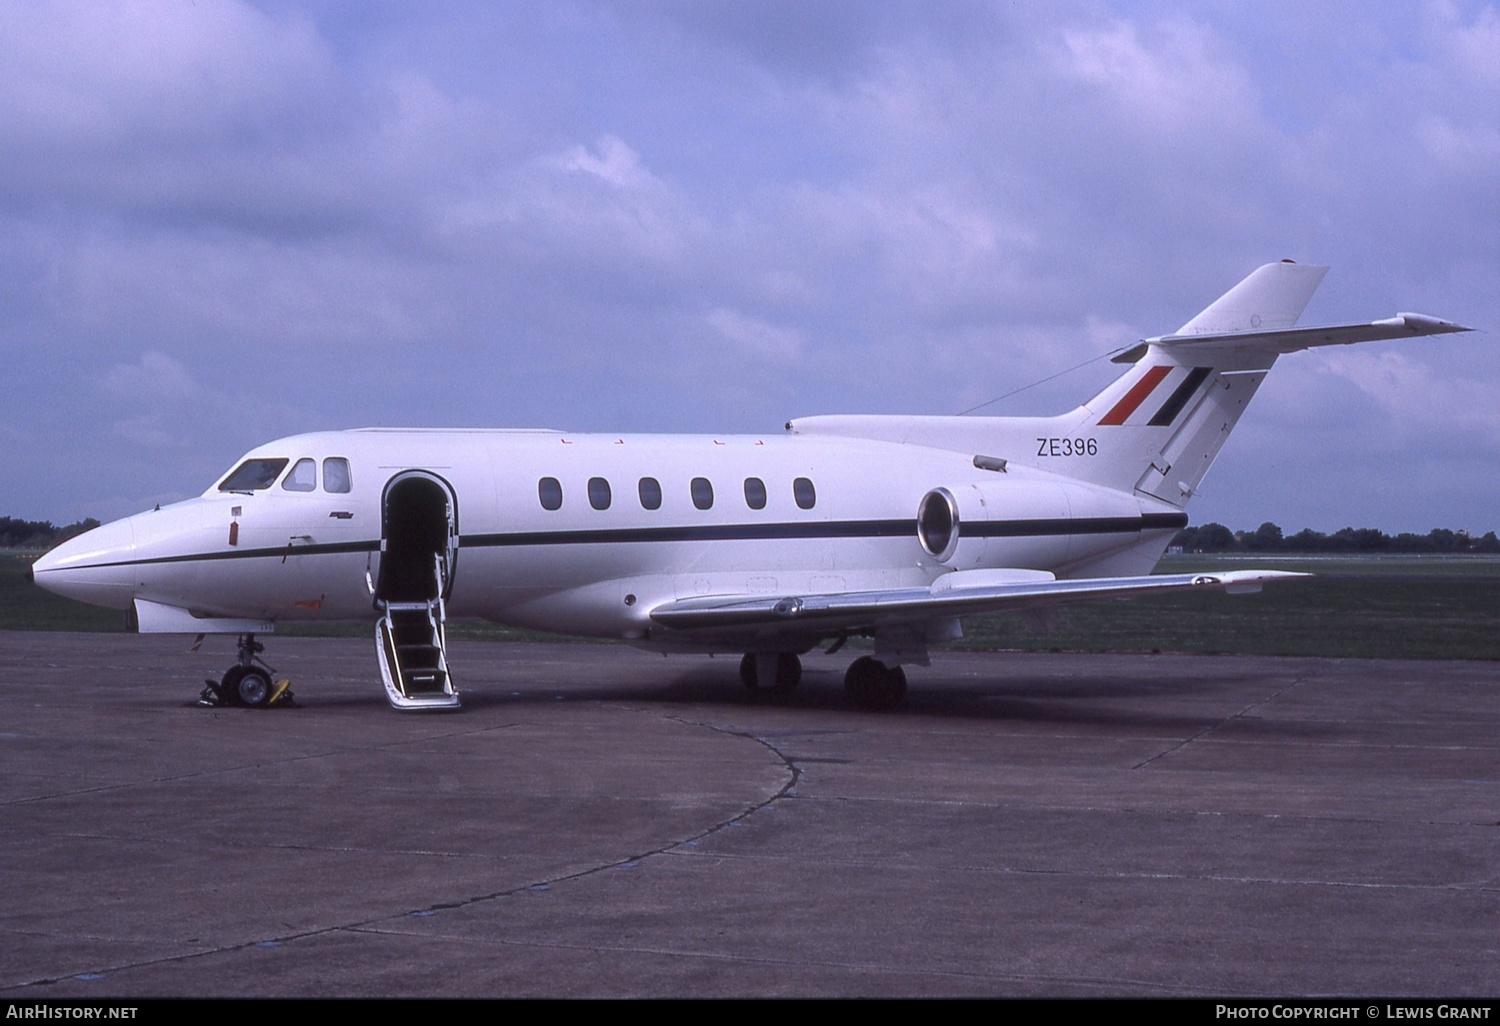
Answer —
280 556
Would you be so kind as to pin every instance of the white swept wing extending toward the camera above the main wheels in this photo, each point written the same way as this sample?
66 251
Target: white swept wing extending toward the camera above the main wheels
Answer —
962 593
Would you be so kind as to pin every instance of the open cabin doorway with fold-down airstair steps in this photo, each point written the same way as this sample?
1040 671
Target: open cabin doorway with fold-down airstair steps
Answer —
419 556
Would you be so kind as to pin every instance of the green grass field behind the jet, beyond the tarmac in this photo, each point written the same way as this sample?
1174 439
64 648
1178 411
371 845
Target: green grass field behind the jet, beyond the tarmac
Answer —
1357 607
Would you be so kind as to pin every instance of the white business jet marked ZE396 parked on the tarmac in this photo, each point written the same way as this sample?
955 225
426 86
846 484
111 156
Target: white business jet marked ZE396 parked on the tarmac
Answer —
848 526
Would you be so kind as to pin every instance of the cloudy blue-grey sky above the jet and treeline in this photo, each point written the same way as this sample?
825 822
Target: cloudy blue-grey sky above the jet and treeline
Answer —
223 223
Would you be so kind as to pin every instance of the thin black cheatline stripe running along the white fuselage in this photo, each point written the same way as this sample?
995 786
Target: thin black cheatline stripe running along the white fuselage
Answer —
712 533
